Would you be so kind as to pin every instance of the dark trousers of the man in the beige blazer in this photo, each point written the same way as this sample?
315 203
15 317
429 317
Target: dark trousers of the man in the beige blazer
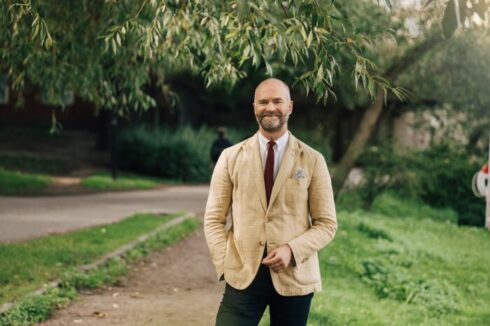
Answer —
246 307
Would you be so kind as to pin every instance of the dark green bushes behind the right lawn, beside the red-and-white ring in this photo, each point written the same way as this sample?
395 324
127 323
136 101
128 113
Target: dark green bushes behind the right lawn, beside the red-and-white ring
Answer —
439 176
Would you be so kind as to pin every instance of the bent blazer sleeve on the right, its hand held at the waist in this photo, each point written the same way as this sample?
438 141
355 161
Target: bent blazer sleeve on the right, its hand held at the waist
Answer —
323 216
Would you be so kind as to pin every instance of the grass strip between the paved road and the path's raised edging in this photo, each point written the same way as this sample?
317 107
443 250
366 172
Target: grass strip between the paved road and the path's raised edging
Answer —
25 266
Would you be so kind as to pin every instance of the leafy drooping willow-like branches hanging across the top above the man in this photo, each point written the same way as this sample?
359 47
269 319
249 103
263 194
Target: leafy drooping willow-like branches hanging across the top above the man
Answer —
106 52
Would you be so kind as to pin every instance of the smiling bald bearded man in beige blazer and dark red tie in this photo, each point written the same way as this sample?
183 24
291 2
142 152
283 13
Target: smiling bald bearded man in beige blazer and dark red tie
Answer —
280 197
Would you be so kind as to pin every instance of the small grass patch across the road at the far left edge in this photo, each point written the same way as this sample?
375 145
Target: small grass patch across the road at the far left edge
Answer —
16 182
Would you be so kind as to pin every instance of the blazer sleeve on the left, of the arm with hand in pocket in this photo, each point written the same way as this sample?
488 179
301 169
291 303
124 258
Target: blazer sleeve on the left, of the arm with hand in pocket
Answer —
219 199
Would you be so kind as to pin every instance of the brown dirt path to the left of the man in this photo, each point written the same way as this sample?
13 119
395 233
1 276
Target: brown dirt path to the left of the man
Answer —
176 286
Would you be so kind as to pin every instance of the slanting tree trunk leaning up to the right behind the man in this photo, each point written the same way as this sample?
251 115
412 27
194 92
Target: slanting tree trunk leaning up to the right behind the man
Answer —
372 113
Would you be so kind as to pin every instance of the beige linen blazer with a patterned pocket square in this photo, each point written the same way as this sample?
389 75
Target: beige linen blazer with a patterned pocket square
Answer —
301 214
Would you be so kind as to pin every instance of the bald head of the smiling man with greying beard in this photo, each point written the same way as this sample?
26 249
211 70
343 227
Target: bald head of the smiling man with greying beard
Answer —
272 105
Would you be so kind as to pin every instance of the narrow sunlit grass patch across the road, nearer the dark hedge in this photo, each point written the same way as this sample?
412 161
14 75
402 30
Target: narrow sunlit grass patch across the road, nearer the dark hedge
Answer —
104 181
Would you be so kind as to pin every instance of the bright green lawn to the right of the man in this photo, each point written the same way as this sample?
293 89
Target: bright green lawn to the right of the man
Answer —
397 269
